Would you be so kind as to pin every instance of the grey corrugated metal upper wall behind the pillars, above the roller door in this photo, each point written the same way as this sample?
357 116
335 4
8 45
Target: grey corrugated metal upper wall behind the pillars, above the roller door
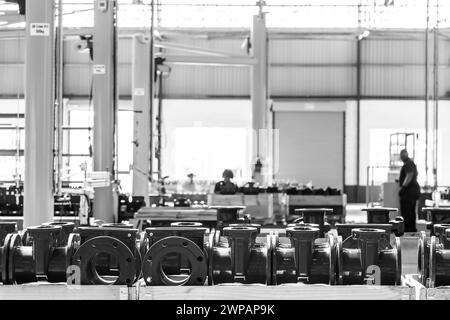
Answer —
305 64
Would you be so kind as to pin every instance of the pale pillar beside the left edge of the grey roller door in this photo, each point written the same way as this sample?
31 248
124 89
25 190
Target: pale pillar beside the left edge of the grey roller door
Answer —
259 90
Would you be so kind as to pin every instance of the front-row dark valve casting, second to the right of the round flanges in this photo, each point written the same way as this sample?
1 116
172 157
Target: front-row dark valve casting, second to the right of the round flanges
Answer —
303 257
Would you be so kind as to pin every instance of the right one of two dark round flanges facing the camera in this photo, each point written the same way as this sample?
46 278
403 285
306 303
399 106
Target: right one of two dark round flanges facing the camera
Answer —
153 273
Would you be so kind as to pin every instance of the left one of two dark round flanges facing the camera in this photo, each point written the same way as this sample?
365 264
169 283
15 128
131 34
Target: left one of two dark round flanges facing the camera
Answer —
86 255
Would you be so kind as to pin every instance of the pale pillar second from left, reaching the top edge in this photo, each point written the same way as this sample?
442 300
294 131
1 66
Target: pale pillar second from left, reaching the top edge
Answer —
104 97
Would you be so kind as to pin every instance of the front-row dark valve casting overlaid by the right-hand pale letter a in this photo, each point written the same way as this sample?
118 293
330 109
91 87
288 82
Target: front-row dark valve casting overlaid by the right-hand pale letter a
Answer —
368 256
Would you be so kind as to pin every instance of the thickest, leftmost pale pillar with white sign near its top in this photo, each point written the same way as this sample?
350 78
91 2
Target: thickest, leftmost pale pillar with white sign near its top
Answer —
39 110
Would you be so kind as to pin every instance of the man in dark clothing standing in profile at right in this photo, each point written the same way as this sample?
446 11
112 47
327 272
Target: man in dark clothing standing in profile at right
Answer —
409 191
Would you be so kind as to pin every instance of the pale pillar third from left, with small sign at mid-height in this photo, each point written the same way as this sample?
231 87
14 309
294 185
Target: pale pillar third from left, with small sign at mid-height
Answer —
141 108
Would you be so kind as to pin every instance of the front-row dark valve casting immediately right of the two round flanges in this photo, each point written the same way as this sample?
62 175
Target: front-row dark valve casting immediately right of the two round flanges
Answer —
240 258
